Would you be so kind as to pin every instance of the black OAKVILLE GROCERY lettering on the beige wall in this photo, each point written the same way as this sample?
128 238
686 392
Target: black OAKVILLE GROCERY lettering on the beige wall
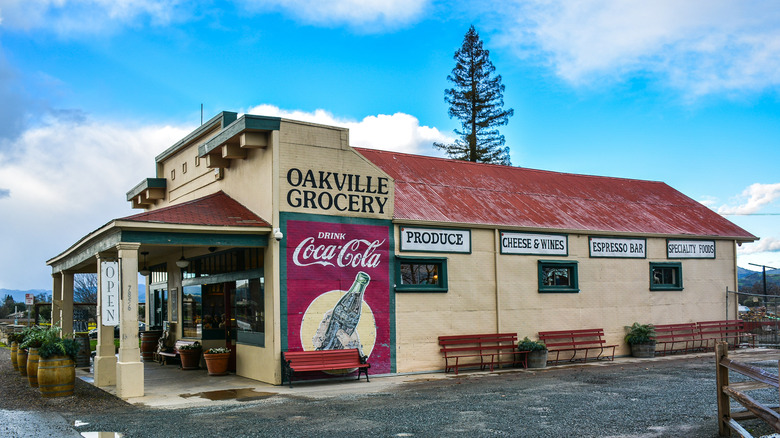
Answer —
343 192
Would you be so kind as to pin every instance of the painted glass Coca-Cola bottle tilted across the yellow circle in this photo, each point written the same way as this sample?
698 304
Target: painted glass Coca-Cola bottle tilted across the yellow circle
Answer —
338 327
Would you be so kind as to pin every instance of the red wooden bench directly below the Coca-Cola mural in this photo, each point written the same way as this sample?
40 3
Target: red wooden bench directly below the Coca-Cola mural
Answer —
323 360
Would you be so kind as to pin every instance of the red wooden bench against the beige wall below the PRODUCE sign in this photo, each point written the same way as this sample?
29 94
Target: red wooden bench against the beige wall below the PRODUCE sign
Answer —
482 350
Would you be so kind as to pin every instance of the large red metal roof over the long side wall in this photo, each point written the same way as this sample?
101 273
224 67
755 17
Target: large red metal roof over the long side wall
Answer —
444 190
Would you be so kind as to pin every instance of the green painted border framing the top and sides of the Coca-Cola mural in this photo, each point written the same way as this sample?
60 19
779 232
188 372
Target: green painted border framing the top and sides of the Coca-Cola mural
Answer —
284 217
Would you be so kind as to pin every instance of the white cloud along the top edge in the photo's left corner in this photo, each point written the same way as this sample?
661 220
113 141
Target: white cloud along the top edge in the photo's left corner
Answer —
69 17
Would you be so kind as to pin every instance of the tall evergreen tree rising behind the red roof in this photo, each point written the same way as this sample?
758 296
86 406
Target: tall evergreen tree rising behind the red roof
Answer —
477 100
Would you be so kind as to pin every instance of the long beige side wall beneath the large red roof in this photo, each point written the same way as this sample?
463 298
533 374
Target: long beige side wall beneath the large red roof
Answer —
613 293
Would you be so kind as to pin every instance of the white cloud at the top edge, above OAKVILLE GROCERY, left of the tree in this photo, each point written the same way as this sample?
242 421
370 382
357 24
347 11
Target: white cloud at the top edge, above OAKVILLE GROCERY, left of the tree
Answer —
365 15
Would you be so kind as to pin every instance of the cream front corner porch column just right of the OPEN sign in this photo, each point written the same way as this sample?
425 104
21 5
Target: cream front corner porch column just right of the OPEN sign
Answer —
129 369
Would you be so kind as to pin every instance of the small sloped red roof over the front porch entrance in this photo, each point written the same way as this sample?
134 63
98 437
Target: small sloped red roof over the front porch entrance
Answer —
217 209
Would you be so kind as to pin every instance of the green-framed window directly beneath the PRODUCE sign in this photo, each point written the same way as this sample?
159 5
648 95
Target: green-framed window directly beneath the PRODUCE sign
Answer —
421 274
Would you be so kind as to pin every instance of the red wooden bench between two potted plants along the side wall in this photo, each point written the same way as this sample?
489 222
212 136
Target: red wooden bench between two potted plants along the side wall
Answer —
574 341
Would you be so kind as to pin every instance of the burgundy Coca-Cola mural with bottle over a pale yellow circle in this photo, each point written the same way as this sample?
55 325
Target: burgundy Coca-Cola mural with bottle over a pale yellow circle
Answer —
338 289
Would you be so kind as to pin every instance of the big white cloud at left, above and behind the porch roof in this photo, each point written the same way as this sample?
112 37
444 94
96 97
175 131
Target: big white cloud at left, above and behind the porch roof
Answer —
64 180
